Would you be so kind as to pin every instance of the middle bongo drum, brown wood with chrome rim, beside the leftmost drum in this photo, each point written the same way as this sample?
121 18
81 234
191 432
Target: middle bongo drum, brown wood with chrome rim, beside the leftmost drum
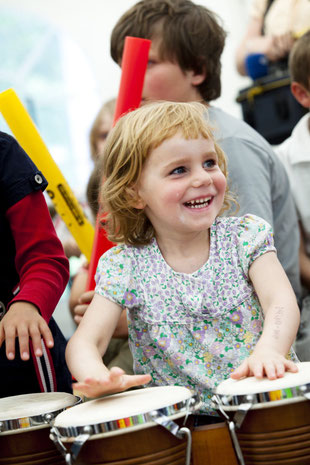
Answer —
139 427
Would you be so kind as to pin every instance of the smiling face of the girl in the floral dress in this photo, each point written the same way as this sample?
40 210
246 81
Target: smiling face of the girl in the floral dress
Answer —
182 187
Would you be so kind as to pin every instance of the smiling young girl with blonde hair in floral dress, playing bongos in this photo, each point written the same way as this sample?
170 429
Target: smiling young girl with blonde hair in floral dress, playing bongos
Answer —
195 285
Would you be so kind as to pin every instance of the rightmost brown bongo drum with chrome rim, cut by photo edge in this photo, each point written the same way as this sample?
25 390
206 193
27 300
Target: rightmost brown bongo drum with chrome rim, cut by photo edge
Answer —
269 420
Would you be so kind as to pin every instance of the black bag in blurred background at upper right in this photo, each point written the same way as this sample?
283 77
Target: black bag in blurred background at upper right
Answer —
270 108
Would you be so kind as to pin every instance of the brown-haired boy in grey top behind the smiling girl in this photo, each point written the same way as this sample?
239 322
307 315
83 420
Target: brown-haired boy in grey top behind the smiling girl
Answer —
184 65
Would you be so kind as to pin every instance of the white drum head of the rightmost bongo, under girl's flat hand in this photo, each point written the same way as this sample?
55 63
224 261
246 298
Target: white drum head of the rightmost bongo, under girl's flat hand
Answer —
252 385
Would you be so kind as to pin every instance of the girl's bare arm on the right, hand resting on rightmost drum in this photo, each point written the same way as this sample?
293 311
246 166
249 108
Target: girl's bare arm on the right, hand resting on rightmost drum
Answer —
281 323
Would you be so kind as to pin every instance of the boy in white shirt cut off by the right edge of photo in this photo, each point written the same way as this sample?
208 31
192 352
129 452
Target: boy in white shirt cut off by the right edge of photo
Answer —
295 154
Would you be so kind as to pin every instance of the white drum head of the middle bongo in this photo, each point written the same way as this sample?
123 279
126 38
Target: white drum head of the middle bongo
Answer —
123 405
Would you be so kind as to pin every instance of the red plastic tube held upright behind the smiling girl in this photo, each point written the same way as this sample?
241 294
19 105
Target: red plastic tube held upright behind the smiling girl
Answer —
134 63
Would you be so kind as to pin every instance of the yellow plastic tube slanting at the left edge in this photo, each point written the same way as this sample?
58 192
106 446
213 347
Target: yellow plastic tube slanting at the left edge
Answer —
65 202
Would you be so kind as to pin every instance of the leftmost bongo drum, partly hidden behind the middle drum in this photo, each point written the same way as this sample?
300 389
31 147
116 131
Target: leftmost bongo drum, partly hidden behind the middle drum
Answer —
25 422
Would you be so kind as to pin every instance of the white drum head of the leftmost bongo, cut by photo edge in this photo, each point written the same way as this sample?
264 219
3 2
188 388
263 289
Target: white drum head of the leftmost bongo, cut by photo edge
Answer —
30 405
